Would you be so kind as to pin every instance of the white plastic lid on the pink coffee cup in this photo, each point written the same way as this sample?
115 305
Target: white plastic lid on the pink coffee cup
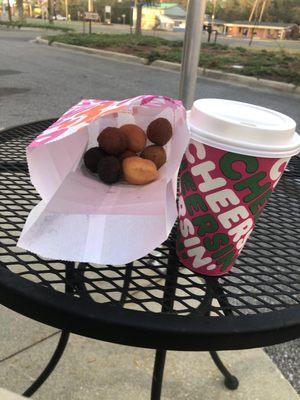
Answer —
243 128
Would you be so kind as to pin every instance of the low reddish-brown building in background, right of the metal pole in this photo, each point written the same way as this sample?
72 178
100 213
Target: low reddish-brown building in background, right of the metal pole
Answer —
261 30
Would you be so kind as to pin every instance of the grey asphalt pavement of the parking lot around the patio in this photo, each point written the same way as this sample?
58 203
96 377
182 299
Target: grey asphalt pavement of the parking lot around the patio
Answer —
39 82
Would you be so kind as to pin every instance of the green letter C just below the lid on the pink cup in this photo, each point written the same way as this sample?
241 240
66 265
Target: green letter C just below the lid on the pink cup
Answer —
228 159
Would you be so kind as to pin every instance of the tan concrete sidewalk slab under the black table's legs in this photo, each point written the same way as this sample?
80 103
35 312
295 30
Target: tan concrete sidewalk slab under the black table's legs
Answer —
91 369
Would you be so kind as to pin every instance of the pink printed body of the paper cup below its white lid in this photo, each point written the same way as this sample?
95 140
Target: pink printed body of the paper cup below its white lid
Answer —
221 196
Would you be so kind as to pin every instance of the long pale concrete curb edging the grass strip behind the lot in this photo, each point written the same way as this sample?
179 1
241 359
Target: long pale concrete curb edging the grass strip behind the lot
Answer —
167 65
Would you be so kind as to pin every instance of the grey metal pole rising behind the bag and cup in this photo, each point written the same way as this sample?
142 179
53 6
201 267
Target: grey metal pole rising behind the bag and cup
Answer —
191 51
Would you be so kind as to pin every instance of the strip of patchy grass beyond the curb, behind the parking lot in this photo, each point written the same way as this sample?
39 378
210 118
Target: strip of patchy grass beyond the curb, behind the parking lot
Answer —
275 65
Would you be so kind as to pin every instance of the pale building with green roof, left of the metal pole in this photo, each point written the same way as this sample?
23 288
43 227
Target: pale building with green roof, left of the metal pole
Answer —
165 16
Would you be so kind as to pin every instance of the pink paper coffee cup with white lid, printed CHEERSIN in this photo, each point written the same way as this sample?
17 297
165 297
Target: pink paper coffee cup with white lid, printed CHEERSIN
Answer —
227 175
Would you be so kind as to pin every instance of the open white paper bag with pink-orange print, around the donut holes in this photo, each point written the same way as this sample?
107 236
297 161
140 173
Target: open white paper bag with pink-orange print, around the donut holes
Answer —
81 218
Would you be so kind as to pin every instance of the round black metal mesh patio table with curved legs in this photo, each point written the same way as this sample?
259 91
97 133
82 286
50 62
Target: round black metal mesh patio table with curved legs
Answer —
153 302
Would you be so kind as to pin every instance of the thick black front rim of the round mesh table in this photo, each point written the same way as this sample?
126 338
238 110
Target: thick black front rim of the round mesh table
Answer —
145 329
